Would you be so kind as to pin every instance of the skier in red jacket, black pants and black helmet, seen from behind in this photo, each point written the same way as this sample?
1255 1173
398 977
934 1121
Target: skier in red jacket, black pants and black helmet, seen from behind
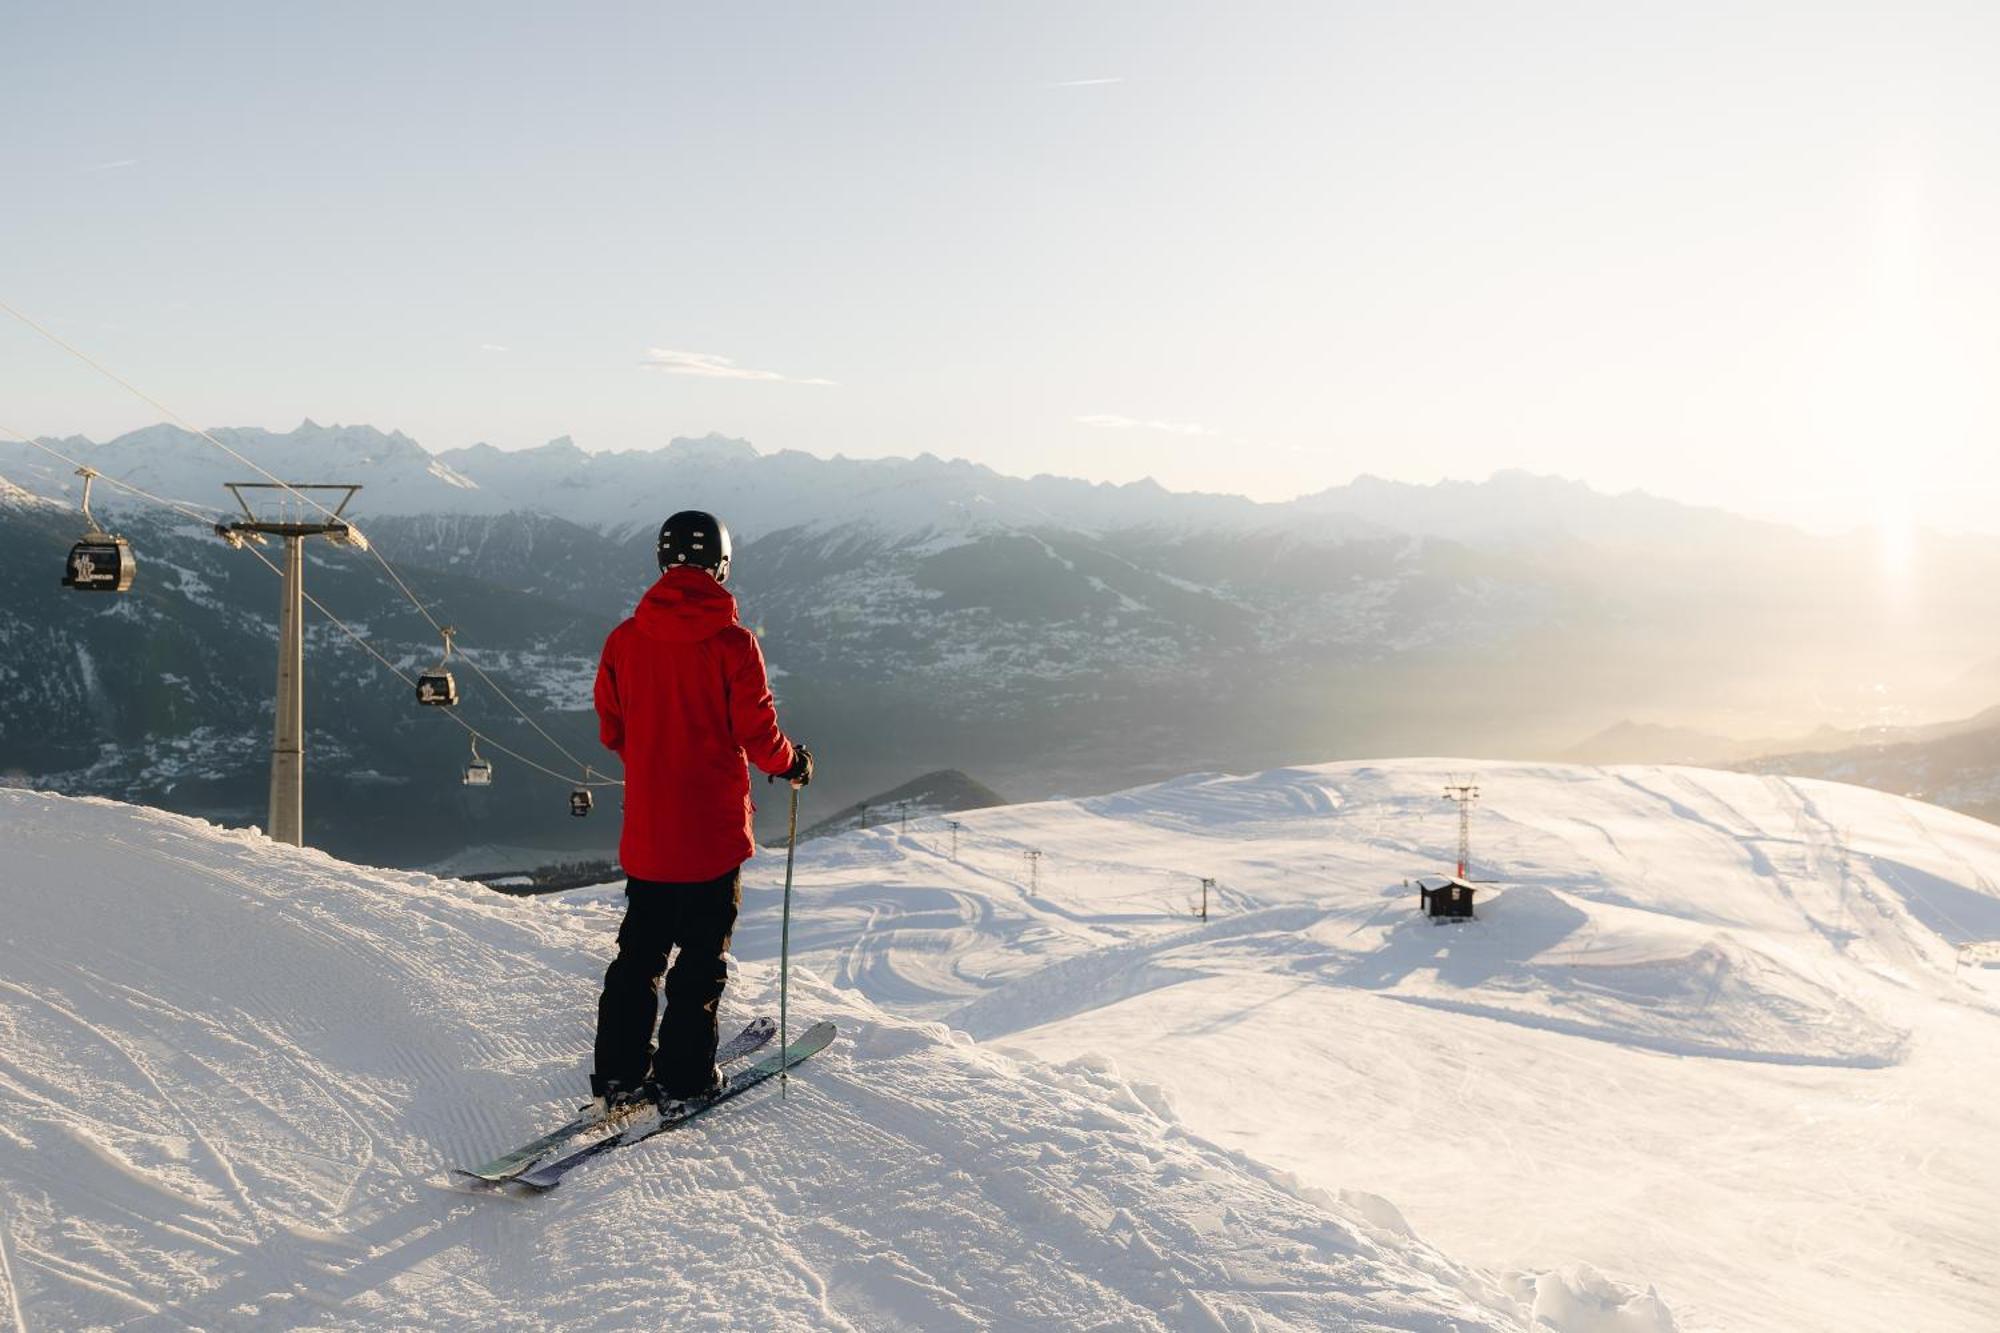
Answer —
683 700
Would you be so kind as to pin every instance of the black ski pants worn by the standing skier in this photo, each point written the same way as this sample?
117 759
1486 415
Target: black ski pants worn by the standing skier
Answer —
697 920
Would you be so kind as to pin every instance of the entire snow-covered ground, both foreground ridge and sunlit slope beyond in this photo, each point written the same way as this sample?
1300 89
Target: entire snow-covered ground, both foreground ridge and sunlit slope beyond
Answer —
1713 1034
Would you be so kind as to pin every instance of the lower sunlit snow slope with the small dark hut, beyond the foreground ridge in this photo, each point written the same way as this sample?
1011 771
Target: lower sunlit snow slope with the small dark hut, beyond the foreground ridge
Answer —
1725 1034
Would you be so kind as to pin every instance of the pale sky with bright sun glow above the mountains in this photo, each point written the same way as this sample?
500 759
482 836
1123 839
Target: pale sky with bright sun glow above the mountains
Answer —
1739 255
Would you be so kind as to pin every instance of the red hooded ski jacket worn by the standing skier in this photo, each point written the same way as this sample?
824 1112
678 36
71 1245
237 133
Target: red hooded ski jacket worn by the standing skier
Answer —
683 700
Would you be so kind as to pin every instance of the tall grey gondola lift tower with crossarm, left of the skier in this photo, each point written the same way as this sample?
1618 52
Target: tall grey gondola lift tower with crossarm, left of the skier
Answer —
289 740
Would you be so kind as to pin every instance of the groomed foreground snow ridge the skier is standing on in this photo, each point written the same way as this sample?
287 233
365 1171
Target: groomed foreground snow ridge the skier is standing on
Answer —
233 1074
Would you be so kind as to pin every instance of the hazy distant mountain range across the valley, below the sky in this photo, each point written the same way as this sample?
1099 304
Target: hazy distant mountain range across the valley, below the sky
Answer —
923 613
